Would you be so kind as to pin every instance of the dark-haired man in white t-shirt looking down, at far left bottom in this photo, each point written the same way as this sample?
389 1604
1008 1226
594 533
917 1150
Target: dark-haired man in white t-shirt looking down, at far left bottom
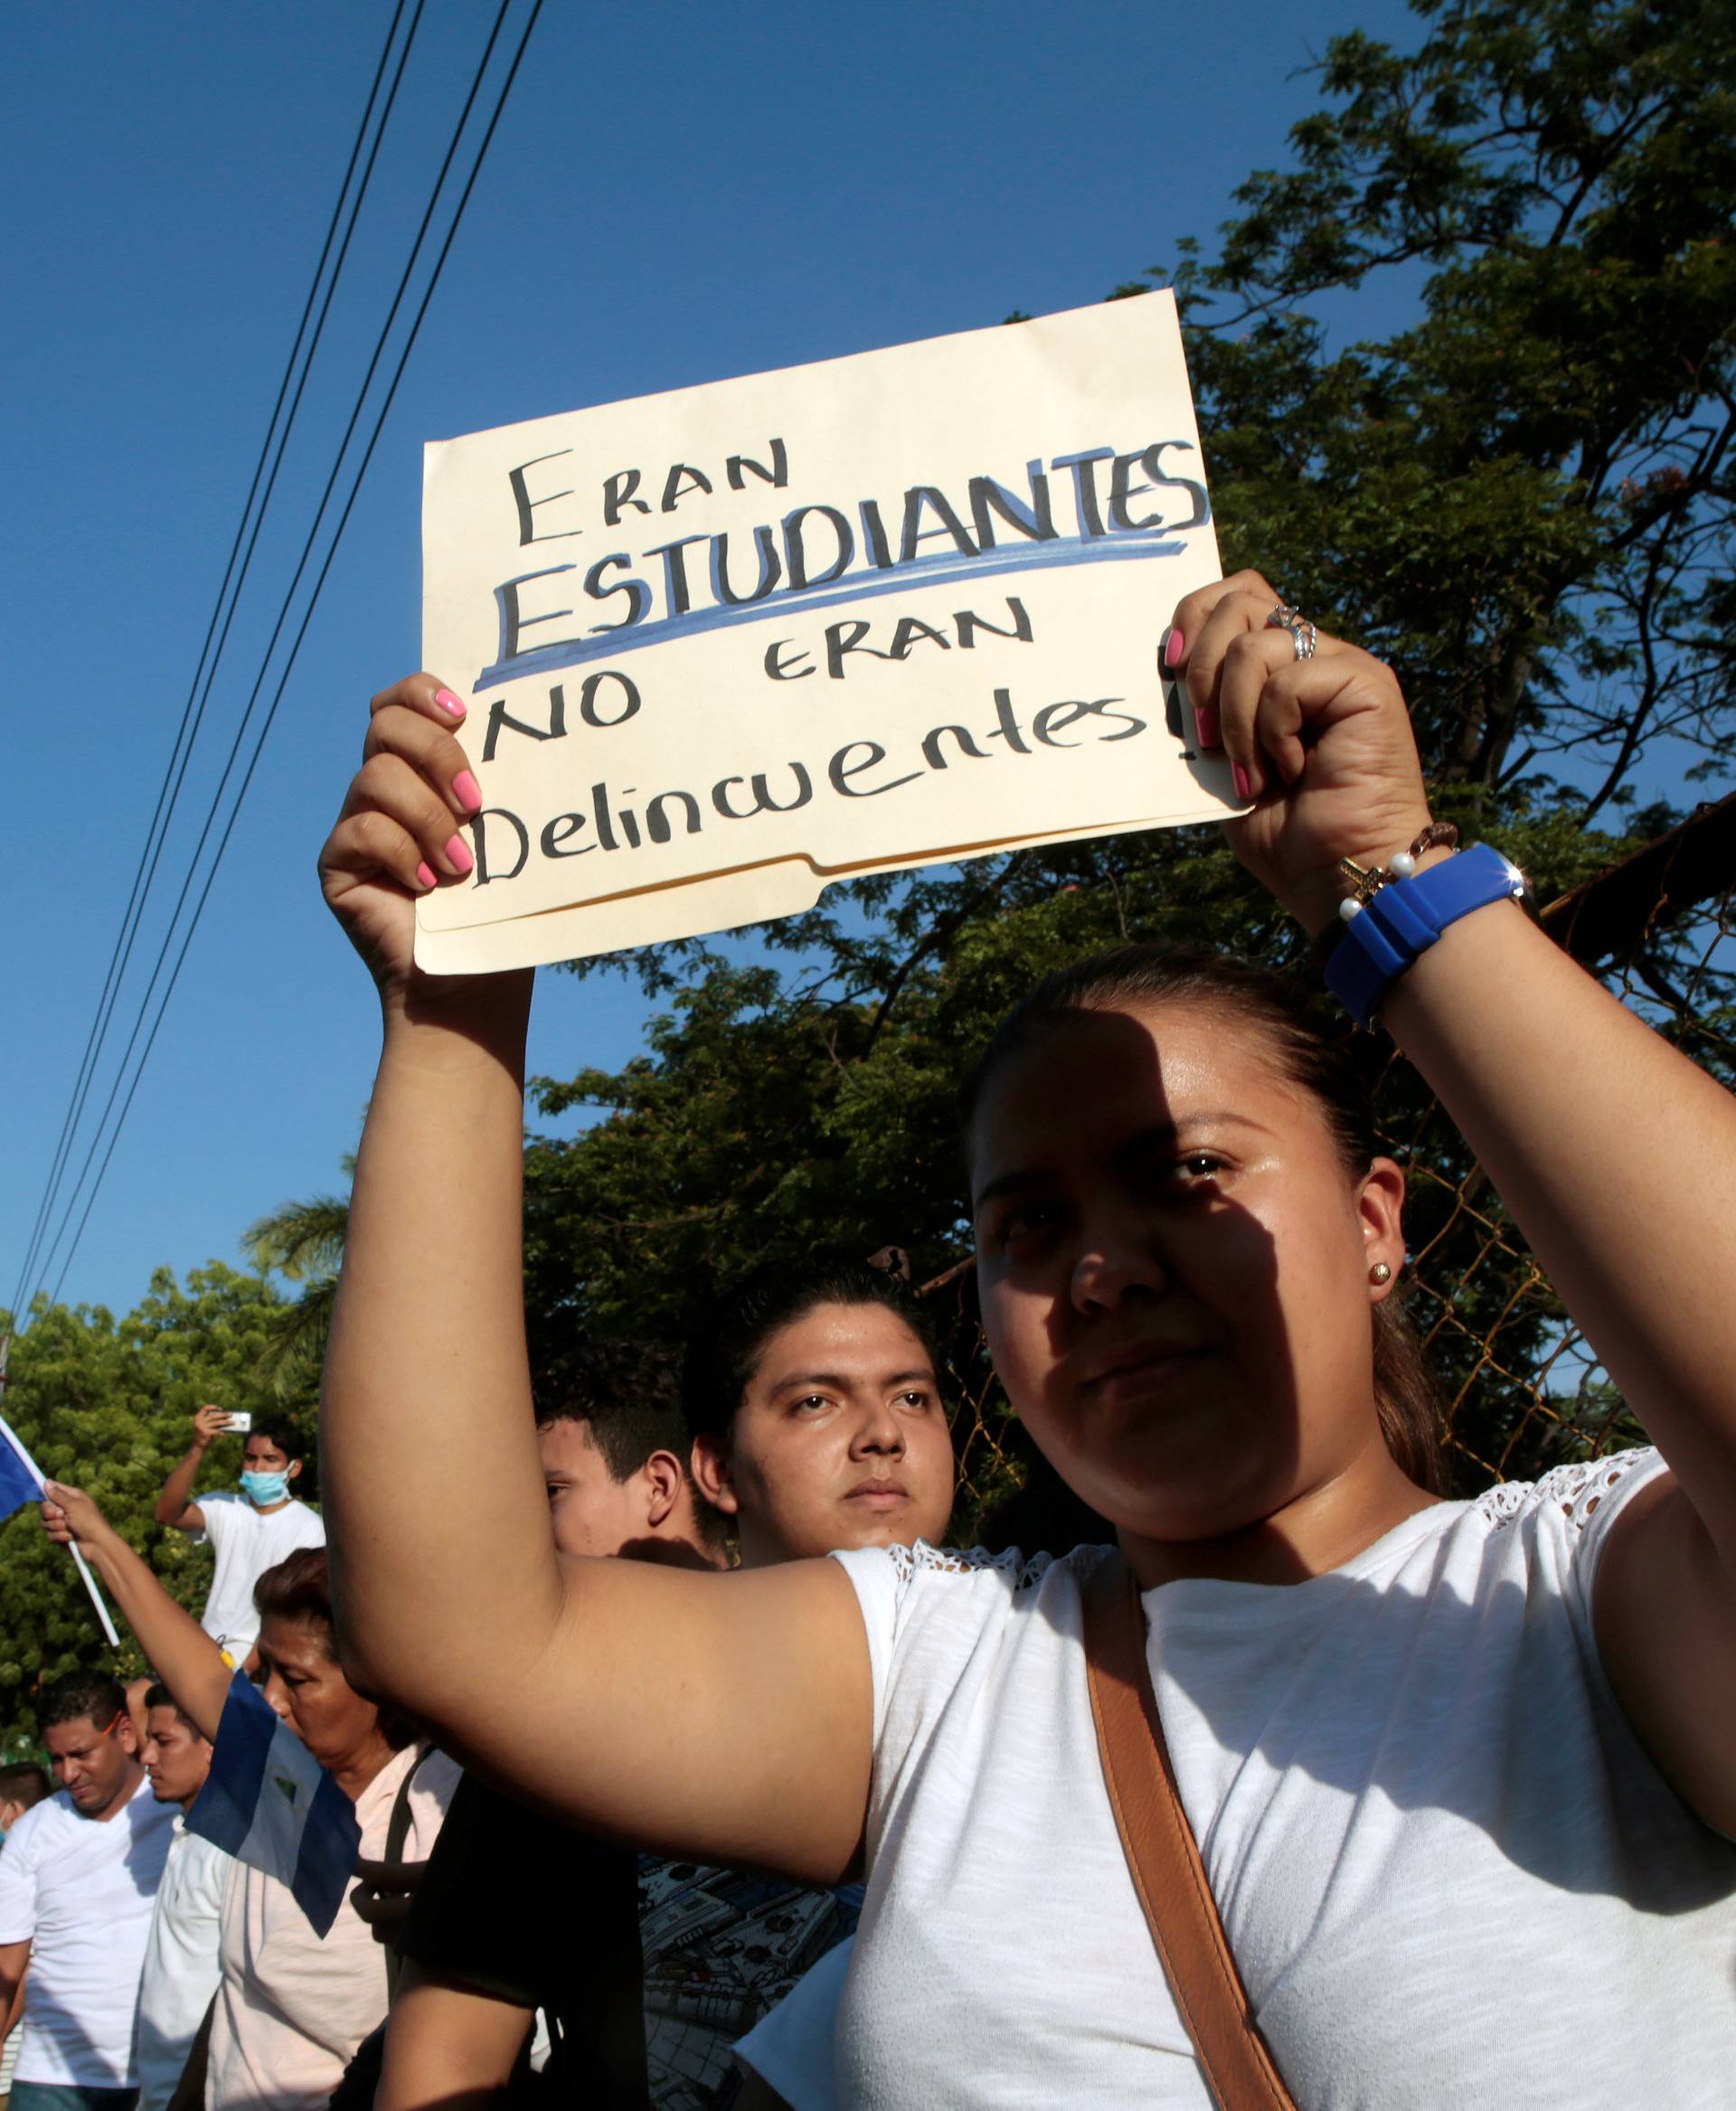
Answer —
77 1890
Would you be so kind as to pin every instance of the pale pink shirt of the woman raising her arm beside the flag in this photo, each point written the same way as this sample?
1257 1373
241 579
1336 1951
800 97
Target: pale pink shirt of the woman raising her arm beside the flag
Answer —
293 2009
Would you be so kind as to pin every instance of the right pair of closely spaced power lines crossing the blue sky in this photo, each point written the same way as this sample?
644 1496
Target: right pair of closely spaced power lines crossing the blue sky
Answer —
320 582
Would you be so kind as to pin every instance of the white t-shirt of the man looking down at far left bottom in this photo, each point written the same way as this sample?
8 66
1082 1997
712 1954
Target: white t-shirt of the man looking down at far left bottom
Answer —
81 1893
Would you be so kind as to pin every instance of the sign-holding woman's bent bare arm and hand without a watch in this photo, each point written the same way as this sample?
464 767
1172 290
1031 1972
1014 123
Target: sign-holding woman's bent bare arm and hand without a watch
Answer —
721 1717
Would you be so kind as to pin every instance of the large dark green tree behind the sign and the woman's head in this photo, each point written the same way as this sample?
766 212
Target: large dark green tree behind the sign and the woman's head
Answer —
1522 499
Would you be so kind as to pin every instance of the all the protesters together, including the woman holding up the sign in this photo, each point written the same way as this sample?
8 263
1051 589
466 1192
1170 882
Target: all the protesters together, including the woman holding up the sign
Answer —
641 1743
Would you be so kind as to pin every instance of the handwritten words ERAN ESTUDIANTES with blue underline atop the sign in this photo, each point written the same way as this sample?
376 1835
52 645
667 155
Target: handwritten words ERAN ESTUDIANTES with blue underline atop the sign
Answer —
820 556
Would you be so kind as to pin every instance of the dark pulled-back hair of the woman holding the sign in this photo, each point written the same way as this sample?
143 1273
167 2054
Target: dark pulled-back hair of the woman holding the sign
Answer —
1315 1054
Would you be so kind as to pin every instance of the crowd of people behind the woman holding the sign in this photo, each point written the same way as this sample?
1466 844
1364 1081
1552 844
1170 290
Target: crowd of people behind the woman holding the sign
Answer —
808 1420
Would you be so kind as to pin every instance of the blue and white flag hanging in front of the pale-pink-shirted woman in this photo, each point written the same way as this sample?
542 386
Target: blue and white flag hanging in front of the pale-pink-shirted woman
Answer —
271 1806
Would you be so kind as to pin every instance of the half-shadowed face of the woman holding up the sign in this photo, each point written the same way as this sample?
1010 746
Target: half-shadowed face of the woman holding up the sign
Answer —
1175 1270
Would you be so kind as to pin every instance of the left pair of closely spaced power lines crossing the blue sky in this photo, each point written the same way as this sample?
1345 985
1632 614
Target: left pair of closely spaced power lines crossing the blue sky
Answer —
193 712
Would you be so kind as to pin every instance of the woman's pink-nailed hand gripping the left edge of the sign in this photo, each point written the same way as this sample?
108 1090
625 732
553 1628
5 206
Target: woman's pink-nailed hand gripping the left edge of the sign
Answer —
398 833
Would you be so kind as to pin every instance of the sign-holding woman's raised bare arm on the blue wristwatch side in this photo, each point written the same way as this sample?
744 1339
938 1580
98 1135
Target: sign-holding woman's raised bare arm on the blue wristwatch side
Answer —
1615 1154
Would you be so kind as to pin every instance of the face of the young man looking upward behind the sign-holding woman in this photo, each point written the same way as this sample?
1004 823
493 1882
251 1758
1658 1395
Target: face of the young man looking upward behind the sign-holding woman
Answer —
839 1441
